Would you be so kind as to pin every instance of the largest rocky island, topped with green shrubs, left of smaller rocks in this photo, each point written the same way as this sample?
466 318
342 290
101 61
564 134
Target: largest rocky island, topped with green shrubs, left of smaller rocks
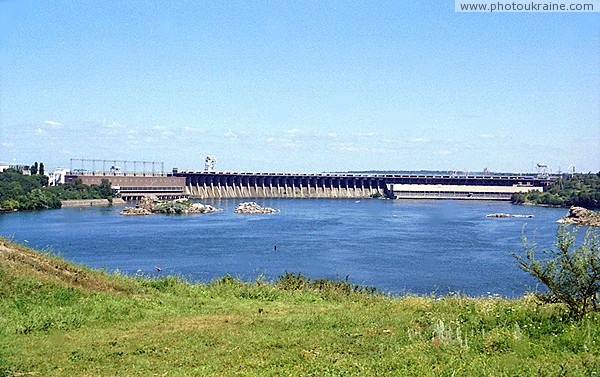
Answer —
151 204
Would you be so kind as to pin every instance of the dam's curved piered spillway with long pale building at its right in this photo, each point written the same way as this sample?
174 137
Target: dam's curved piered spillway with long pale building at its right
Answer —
206 184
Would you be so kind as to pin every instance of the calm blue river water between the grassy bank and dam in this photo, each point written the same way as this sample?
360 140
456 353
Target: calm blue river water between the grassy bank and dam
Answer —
398 246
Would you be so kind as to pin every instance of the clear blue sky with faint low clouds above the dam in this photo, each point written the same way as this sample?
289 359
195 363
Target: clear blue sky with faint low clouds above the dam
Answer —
299 86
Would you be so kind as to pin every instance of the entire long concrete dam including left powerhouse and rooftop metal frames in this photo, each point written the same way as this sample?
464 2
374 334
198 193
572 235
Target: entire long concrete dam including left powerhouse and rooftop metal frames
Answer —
212 184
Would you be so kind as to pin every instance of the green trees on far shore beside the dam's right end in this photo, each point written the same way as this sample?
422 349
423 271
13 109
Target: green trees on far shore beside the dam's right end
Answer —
577 190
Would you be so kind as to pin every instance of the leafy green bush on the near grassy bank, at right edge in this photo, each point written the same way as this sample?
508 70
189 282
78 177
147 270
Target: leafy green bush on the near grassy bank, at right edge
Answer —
571 274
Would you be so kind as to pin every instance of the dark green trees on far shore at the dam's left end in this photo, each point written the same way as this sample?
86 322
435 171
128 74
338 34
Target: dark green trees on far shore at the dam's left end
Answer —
32 192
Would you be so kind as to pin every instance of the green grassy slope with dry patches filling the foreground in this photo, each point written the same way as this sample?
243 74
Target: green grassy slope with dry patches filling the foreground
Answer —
60 319
